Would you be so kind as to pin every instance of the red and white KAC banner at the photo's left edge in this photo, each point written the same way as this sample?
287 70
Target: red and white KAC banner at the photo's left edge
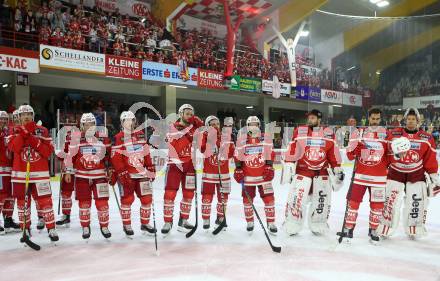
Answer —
19 60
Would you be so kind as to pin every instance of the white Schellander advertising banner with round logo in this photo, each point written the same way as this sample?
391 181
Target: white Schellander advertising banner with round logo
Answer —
71 60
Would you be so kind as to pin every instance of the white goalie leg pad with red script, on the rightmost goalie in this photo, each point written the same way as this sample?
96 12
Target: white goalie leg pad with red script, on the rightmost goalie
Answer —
391 211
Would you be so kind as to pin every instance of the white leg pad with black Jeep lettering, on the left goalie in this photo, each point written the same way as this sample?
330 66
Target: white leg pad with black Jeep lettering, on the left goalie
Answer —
319 209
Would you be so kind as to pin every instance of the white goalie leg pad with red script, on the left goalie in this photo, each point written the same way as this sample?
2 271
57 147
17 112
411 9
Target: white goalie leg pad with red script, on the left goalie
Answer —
297 200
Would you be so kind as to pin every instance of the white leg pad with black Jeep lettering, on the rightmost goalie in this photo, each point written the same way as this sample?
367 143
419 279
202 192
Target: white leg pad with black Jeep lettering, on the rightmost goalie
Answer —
414 211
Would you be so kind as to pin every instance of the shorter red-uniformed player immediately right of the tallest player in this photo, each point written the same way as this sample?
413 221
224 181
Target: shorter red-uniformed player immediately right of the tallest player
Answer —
217 148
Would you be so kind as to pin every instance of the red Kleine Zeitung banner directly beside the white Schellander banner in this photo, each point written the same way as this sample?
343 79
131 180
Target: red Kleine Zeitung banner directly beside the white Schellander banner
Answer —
123 67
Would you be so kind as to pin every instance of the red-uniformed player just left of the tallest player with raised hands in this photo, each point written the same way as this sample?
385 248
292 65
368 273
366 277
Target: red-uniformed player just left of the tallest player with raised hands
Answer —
135 172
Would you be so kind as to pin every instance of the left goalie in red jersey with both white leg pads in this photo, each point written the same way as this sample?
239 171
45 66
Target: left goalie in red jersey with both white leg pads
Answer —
310 154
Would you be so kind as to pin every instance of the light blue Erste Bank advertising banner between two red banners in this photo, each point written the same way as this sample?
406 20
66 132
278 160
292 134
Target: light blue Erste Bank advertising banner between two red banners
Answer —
167 73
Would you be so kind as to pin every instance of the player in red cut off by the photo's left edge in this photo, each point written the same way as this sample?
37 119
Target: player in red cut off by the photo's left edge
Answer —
7 202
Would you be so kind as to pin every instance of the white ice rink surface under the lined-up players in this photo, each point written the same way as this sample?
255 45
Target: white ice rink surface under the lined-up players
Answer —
231 255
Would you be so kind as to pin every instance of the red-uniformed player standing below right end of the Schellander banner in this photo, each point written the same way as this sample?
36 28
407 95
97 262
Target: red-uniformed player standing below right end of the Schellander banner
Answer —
88 160
